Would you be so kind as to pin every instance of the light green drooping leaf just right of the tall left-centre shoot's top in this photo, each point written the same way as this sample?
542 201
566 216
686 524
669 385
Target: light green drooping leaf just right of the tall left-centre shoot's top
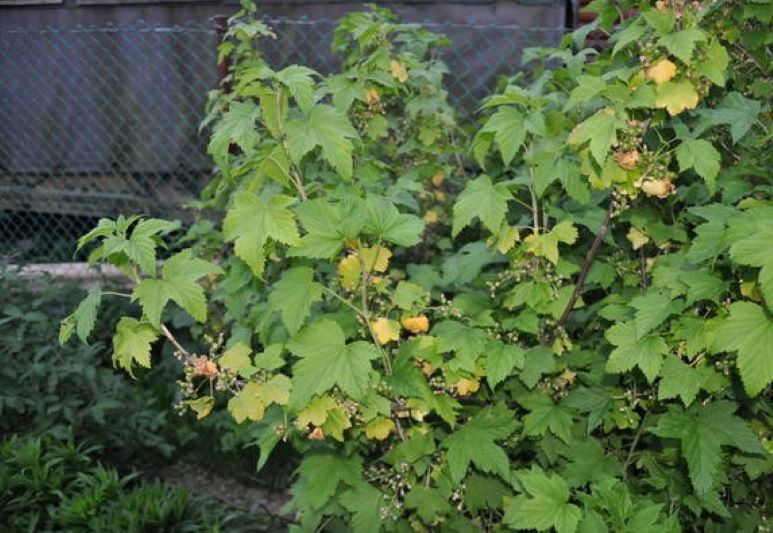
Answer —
327 128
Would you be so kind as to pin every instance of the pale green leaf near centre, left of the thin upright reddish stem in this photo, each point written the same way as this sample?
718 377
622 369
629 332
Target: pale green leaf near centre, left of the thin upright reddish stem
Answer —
484 200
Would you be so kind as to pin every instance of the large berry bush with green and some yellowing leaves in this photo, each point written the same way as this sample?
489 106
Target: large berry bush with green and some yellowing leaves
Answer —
559 320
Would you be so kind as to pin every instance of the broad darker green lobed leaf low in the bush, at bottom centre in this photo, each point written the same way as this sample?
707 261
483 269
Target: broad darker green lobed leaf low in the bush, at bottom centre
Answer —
475 443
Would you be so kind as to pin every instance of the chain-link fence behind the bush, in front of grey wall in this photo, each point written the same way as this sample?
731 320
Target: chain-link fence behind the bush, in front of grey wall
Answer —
102 121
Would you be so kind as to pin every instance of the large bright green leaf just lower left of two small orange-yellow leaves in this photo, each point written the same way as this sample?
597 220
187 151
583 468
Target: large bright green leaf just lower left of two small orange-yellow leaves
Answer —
326 360
